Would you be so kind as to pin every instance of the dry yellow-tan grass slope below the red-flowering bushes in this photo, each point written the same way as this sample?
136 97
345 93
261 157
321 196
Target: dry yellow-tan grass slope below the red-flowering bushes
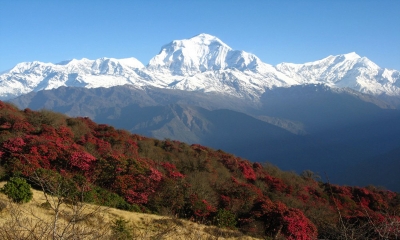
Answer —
35 220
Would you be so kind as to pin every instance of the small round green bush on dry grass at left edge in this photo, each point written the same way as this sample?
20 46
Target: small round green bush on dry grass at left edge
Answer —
18 190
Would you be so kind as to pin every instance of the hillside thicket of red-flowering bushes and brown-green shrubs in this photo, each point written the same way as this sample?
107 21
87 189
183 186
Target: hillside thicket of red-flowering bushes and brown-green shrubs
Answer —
75 161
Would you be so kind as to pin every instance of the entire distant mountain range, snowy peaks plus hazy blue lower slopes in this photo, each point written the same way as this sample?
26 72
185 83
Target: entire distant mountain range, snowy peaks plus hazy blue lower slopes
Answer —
333 116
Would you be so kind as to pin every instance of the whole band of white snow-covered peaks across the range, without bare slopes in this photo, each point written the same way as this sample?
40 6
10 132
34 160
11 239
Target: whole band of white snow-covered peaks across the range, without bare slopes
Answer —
202 63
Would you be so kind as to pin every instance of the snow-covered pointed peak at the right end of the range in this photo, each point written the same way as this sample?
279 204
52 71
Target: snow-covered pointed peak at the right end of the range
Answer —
348 70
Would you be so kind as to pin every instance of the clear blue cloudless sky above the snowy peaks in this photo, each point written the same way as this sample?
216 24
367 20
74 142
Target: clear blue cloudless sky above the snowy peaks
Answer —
275 31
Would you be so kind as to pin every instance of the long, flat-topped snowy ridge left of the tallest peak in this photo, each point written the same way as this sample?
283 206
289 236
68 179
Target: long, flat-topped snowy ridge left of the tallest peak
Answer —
35 76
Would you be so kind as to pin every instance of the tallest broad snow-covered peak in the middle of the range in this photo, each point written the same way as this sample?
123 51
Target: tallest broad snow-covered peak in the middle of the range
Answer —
199 54
